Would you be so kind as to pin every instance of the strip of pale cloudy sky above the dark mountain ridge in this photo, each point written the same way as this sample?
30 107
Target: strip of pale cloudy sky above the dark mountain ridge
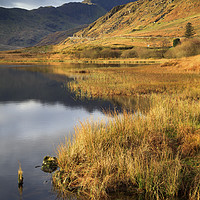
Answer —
32 4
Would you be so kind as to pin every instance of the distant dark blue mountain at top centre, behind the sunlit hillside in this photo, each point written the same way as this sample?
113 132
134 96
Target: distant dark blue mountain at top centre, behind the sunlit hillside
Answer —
108 4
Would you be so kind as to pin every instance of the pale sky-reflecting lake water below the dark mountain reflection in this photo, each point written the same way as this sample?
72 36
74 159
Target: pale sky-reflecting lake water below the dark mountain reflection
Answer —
30 130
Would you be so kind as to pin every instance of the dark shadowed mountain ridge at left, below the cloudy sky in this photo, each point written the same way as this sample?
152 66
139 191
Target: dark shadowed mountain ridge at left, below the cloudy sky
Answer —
19 27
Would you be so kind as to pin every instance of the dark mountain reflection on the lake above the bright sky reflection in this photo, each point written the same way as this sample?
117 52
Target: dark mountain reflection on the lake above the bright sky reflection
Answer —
17 85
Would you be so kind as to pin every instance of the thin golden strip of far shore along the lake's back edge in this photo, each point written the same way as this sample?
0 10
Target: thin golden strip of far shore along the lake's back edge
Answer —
183 64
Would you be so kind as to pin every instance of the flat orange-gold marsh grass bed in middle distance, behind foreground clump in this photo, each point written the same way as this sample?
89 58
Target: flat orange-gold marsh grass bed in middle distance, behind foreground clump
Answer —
111 82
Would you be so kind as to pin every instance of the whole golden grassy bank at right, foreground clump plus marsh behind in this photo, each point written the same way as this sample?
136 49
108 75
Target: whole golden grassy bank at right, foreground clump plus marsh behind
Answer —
154 154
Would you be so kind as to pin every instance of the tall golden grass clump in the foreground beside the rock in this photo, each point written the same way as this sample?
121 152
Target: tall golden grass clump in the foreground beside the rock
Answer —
135 153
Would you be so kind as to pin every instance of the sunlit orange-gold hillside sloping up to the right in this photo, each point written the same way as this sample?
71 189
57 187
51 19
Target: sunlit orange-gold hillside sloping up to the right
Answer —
142 23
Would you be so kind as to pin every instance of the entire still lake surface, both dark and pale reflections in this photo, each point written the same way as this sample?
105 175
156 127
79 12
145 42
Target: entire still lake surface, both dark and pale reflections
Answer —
36 113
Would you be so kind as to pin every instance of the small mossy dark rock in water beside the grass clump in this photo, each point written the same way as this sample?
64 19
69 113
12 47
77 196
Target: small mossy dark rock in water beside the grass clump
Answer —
49 164
